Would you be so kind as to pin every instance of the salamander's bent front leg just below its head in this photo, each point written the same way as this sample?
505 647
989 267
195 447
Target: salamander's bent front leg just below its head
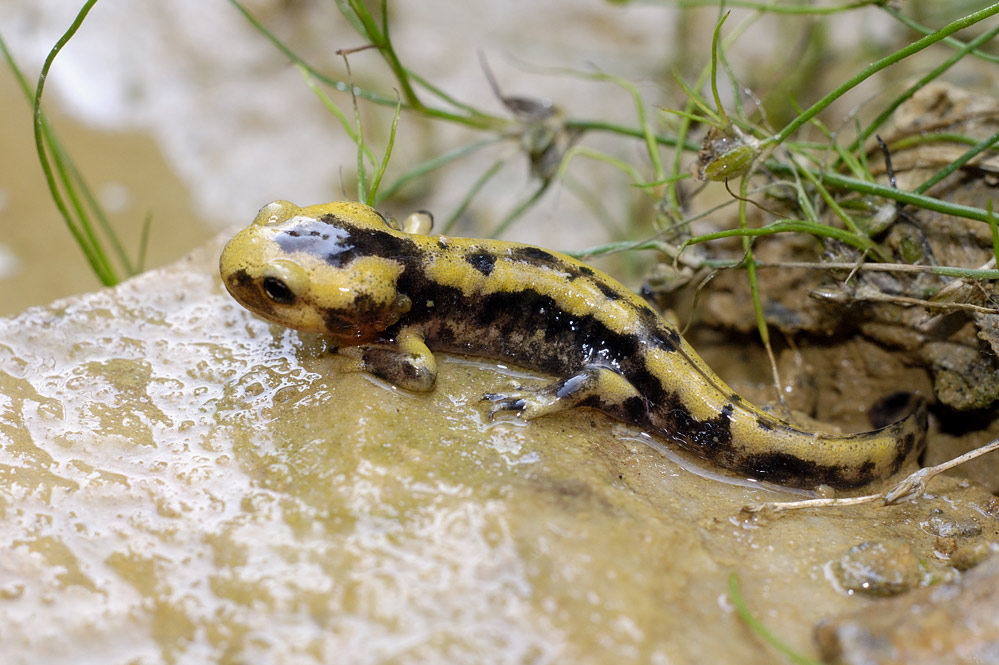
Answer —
407 363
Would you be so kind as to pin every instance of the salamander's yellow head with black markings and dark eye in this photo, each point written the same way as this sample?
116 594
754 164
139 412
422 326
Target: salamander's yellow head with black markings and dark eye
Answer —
329 269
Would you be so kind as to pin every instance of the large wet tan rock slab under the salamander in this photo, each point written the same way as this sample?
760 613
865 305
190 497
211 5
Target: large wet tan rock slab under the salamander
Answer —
182 482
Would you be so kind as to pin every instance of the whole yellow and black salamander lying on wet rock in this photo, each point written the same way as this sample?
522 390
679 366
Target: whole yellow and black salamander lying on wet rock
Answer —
390 294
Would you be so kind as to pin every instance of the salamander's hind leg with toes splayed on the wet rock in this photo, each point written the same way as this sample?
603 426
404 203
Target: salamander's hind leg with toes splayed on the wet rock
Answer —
597 387
